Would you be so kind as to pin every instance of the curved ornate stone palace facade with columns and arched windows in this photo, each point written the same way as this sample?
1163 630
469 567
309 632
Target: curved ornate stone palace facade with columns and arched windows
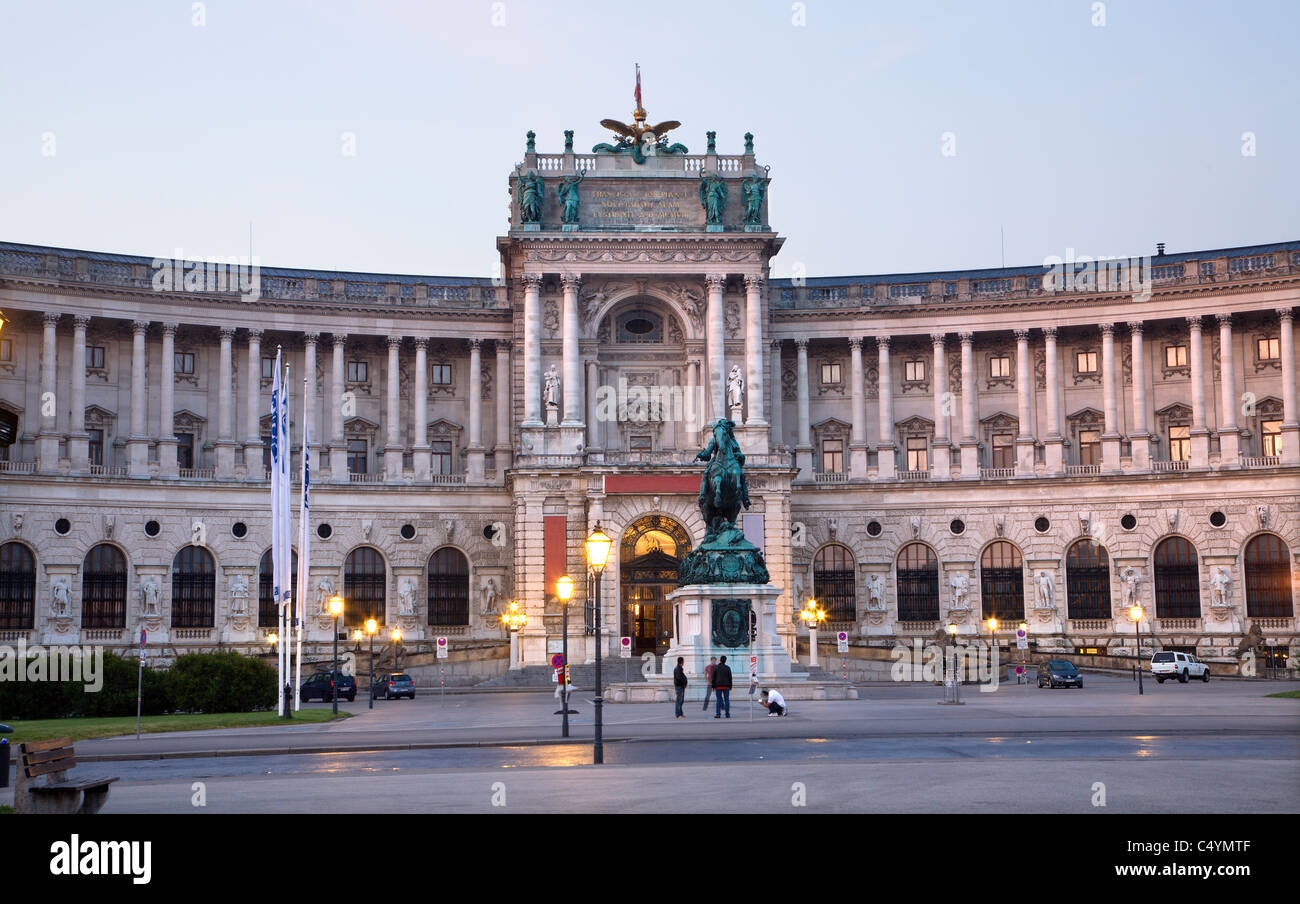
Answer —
1046 445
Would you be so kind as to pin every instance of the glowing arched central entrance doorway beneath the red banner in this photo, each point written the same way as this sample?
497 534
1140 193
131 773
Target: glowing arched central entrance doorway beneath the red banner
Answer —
652 551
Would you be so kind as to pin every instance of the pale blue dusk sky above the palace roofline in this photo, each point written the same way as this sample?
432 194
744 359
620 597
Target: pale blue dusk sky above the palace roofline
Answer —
1071 136
